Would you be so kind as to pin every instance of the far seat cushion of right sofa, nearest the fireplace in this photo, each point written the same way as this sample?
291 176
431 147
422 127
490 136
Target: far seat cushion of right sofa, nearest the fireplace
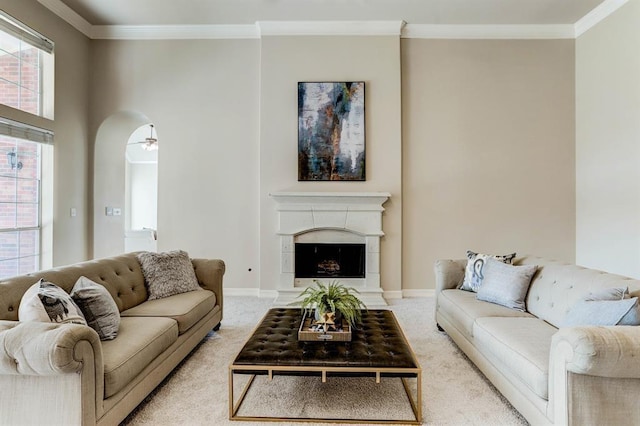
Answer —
462 309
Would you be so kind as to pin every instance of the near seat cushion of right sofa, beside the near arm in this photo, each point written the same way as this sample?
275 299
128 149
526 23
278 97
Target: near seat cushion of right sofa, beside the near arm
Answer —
519 347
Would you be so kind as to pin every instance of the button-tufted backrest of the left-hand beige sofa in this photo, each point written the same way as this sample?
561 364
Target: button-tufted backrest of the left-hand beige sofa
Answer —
121 275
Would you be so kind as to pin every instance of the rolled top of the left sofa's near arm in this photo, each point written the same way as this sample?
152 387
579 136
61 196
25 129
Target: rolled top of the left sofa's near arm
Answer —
37 348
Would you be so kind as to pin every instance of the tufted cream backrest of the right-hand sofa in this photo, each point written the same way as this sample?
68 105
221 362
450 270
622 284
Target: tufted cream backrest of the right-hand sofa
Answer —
557 286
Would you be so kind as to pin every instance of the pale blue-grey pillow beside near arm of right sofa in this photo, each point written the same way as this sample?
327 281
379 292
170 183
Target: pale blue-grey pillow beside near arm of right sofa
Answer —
611 306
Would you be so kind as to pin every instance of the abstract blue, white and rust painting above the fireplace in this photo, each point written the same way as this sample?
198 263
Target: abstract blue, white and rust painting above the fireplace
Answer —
331 131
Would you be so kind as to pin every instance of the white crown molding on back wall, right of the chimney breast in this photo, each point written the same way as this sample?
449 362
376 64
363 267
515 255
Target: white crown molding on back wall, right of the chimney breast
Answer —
488 31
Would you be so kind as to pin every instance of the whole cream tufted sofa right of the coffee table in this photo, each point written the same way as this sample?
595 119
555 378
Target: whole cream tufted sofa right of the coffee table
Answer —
576 375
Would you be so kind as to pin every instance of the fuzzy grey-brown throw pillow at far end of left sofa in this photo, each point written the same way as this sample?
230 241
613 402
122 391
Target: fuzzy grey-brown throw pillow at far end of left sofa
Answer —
168 273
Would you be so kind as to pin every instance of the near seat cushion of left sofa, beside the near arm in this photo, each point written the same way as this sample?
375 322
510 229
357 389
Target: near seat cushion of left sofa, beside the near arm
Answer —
140 340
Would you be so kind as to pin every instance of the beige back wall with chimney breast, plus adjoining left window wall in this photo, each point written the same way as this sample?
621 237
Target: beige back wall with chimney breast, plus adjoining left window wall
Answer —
473 139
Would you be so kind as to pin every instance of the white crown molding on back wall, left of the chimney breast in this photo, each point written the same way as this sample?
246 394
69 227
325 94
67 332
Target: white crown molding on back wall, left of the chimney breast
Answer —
173 32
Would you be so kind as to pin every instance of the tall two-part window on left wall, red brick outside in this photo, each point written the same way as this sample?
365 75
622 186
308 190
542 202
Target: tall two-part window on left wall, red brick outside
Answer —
26 83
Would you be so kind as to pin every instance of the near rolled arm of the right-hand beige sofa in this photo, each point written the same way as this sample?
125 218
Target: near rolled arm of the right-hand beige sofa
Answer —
594 373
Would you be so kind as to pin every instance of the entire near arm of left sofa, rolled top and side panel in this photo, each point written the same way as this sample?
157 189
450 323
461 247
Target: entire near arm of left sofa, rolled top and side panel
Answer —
58 367
